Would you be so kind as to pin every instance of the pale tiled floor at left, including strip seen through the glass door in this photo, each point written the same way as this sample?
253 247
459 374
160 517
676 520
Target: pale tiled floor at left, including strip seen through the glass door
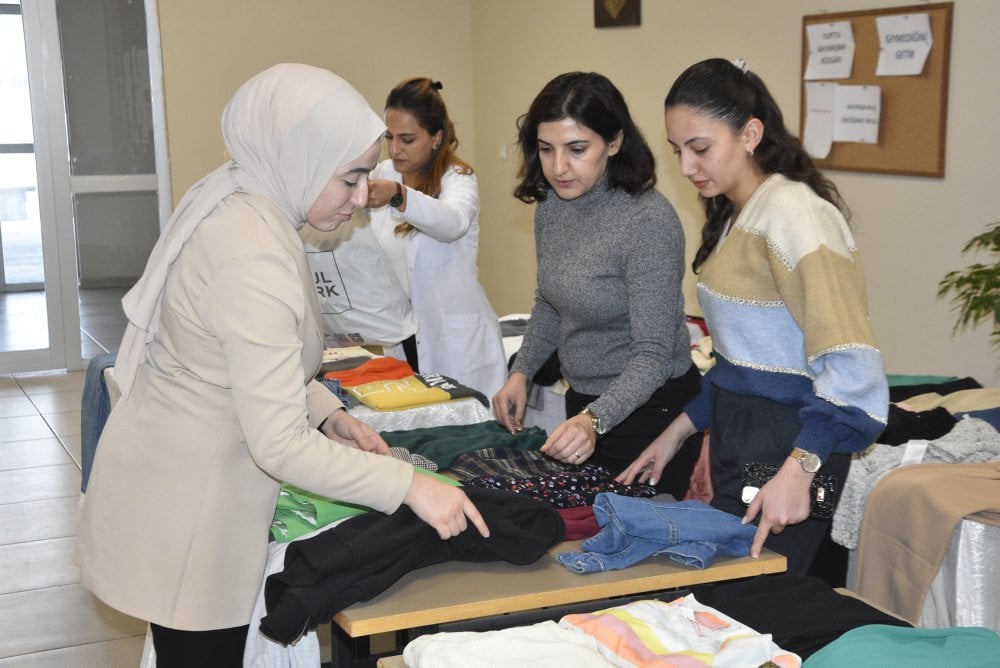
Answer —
46 618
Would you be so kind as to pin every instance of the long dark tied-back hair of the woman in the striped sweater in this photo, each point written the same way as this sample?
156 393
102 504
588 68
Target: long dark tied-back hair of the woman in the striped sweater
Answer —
722 91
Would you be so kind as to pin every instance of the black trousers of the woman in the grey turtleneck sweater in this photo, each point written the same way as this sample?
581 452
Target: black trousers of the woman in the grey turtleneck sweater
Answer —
621 445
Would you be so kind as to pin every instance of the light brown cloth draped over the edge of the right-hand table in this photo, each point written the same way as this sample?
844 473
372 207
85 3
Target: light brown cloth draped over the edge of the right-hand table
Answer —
908 524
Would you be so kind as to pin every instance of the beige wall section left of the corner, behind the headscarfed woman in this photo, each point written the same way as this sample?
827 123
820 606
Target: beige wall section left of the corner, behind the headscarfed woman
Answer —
210 48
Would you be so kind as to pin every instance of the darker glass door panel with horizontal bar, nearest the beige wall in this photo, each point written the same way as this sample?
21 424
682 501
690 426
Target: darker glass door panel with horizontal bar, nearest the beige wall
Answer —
114 184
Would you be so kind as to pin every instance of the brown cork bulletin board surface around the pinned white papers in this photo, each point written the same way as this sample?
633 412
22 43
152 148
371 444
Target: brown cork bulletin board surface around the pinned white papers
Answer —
911 138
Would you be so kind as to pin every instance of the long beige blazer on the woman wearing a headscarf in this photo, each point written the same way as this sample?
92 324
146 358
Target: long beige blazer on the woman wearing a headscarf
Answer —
174 526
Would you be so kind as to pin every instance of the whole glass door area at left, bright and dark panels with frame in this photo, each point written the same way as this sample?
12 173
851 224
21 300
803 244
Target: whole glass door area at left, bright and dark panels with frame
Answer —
83 178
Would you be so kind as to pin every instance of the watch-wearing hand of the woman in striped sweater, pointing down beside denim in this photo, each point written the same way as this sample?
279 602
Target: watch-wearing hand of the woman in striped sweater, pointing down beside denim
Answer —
782 501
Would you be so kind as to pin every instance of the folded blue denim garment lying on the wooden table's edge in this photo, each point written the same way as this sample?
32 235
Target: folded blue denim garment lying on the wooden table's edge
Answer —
633 529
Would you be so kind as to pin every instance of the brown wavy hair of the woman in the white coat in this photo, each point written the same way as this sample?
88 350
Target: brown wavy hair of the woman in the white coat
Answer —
421 98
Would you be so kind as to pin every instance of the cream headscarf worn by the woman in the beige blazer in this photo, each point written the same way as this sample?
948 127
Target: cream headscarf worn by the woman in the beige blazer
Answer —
288 130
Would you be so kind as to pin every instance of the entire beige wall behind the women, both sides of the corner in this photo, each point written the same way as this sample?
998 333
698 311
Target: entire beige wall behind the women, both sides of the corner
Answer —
494 56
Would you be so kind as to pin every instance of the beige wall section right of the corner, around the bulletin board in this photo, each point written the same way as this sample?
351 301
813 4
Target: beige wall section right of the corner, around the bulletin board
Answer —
910 230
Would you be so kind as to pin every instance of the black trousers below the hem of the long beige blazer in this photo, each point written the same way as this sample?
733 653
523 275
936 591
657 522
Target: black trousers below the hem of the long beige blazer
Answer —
218 648
